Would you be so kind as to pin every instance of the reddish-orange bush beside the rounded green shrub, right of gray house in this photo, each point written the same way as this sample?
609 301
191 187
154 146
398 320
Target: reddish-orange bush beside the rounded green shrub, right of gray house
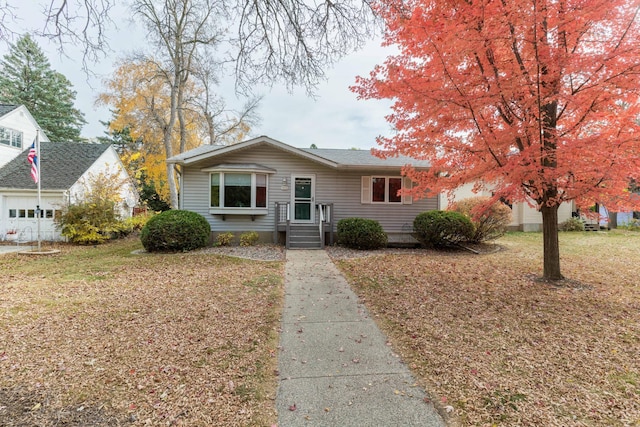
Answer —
490 221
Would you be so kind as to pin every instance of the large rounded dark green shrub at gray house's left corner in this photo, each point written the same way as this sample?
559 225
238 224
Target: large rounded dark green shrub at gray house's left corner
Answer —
175 230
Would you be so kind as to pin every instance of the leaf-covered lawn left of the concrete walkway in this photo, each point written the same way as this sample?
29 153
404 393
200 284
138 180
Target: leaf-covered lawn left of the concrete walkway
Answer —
101 337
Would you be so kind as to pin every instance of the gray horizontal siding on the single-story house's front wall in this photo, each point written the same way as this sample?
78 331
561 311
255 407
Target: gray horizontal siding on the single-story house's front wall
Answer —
341 188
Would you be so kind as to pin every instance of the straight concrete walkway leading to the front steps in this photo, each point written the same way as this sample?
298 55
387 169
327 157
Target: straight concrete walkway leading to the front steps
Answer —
335 366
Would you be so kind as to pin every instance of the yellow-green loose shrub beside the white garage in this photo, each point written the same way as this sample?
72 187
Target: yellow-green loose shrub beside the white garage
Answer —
89 223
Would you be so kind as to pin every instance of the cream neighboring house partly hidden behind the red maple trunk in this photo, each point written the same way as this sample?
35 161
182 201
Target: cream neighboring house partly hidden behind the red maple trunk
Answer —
524 217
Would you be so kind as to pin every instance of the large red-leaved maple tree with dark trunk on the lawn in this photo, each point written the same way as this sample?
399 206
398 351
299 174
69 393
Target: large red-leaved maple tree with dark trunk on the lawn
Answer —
536 100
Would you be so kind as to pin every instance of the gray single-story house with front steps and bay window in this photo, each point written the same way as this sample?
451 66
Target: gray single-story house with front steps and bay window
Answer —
296 196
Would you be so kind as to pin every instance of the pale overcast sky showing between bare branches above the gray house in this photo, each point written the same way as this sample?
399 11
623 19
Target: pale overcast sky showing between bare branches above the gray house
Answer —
335 119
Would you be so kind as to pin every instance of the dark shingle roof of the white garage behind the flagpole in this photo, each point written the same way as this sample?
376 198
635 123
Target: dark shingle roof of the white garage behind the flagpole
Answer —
62 163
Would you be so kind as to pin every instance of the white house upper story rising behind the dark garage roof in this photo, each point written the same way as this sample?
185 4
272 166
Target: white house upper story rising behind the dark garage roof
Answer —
17 131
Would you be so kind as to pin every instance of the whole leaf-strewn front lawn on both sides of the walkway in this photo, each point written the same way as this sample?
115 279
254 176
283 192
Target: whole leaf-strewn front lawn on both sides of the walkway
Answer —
101 337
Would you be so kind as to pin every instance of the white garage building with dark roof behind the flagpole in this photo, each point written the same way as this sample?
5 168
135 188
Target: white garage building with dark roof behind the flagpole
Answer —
67 170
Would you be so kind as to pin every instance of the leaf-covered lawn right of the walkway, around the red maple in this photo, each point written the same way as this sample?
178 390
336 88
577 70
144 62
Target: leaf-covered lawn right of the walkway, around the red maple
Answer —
498 347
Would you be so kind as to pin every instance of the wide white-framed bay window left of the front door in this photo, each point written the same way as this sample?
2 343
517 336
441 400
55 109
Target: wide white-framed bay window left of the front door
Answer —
238 192
